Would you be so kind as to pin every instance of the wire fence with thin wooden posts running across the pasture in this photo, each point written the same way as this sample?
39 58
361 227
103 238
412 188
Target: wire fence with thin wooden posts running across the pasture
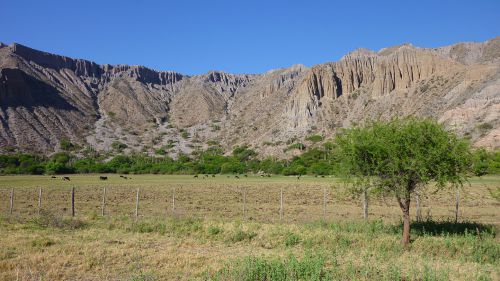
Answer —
263 203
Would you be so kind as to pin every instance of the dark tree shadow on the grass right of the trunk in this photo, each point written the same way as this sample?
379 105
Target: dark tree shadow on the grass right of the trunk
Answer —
443 228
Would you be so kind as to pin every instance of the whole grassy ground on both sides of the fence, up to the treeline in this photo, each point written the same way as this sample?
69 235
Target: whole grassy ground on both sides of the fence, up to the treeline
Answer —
208 236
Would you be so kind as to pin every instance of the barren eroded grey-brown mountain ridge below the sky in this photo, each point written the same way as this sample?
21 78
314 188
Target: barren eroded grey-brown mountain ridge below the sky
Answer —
45 98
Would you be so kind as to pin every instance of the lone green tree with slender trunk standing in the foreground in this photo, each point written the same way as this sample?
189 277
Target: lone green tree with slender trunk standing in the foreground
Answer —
401 155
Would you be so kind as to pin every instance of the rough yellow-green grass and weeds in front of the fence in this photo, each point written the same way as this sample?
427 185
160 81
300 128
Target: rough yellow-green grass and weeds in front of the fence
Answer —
186 248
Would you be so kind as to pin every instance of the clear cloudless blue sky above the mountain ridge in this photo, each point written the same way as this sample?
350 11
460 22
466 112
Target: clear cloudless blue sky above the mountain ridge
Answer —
193 37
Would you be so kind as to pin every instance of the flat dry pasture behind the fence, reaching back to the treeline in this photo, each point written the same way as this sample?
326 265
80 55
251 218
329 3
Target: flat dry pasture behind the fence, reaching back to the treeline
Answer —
222 198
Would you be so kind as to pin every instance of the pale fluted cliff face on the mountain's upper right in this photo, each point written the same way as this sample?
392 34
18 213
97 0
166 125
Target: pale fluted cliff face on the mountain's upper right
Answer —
390 70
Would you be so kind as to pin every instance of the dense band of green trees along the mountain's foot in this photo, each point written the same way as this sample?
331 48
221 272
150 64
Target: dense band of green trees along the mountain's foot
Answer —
319 160
